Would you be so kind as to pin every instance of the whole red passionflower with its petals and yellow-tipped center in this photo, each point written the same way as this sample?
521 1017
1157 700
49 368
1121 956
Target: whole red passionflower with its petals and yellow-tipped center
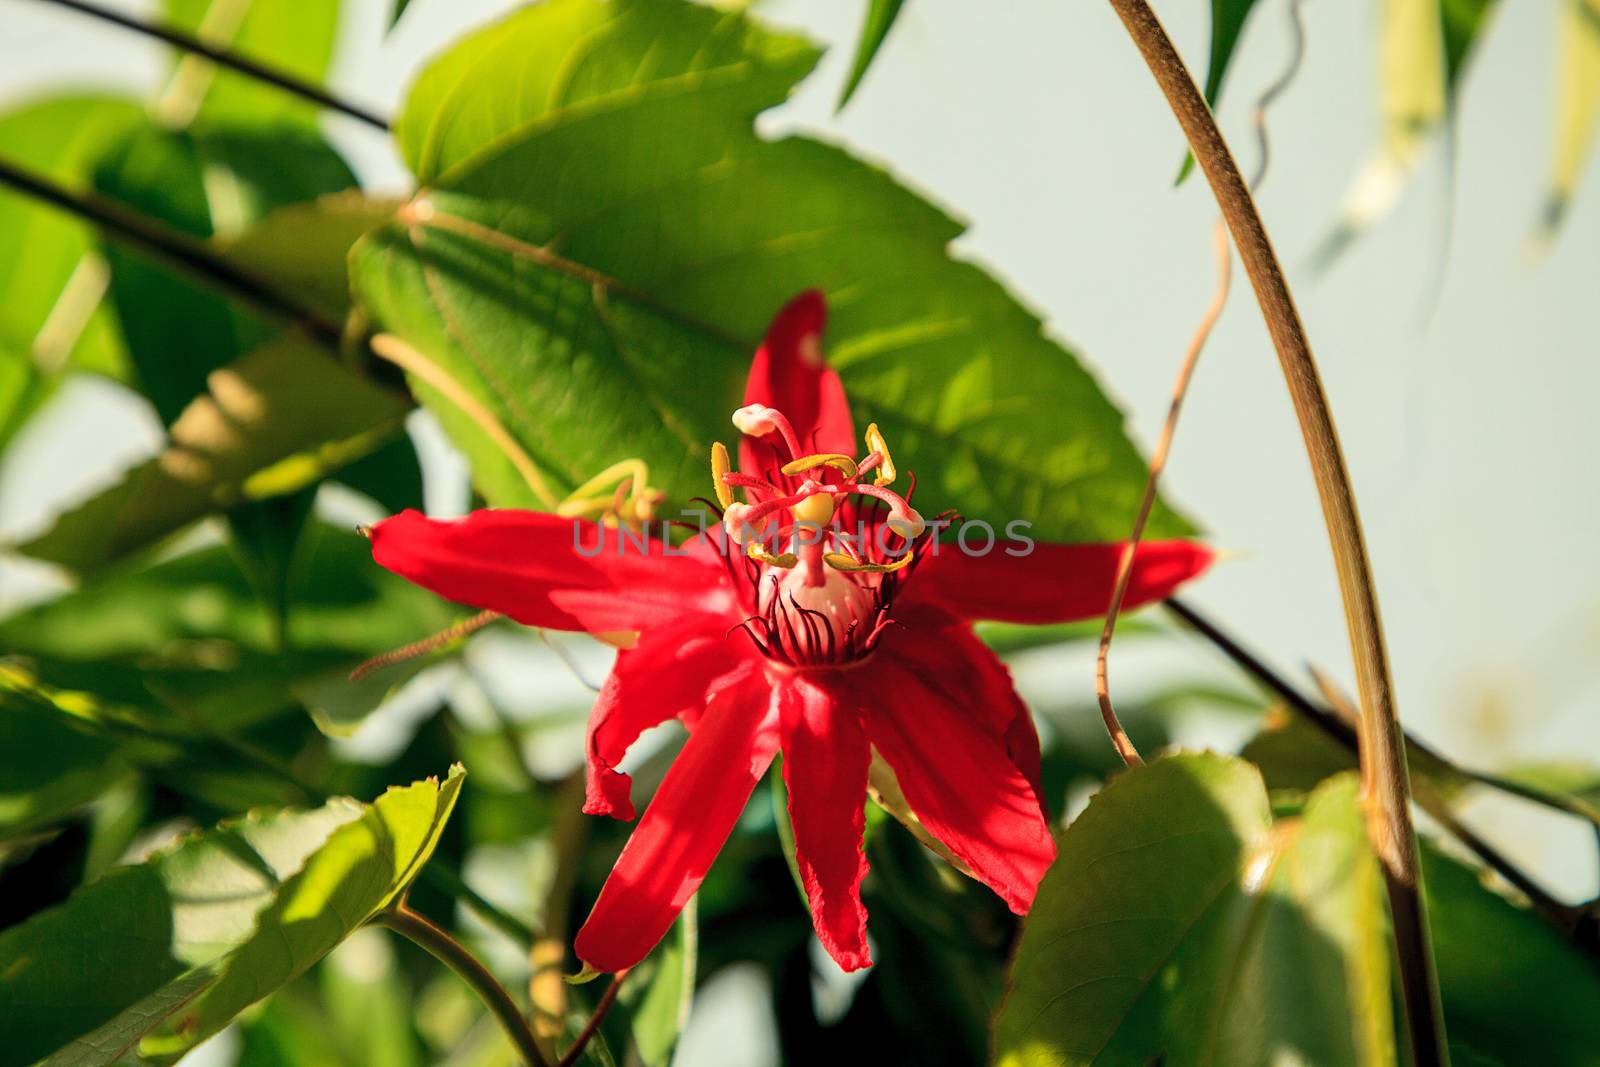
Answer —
823 621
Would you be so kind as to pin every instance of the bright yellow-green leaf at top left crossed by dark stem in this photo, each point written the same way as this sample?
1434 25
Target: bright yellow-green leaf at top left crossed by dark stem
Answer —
289 36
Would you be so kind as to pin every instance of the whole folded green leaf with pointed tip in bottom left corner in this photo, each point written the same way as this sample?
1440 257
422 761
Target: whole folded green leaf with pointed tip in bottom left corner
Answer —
209 927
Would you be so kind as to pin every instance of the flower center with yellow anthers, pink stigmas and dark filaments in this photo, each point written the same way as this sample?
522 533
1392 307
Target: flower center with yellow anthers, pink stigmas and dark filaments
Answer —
823 548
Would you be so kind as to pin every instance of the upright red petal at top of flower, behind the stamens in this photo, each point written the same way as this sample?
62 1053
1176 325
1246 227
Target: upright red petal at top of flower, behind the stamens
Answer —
791 375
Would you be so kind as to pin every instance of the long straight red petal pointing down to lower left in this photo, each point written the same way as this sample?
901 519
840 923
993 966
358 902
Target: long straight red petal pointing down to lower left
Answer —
682 831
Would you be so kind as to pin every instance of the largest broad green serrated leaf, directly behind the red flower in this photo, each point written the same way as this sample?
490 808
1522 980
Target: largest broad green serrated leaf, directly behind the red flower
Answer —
570 260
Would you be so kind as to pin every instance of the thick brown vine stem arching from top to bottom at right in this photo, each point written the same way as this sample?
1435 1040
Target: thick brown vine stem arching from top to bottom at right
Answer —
1386 789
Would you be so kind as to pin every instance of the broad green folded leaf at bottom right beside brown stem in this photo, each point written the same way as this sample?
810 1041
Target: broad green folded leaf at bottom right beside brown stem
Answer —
1182 925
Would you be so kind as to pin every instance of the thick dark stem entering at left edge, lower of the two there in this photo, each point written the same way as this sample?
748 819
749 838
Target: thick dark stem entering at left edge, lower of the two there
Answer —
180 250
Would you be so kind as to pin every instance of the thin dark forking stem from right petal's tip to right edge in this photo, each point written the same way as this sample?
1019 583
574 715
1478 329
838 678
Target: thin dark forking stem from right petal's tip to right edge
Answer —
1340 730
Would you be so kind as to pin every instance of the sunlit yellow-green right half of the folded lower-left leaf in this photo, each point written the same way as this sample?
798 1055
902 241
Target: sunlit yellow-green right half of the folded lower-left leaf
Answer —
362 869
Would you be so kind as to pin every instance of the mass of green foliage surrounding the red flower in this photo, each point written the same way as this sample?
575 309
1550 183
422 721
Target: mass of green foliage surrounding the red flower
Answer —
599 239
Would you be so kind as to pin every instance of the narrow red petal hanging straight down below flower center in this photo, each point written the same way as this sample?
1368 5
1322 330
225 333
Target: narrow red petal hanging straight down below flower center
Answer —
826 759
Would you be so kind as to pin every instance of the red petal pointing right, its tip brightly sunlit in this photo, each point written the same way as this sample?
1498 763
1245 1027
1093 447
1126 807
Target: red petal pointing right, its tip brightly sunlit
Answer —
1055 583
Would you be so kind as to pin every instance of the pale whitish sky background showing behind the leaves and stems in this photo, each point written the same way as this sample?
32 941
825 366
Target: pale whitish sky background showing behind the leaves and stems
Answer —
1468 425
